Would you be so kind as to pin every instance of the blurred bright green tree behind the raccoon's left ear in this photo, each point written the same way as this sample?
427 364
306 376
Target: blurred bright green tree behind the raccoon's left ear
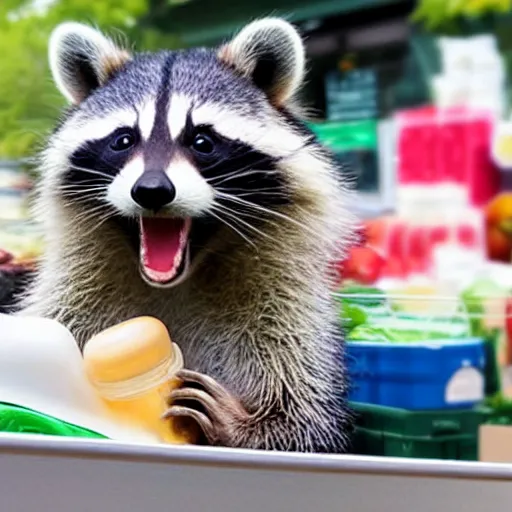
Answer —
29 102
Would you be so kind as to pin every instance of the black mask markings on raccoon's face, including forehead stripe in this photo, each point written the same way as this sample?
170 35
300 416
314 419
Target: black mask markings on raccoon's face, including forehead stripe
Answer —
248 181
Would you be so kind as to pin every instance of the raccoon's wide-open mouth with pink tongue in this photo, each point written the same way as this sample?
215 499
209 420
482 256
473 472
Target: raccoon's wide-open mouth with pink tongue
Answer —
162 247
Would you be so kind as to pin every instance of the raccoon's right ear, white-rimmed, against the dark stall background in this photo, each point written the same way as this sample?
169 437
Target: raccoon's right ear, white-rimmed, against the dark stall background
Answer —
271 53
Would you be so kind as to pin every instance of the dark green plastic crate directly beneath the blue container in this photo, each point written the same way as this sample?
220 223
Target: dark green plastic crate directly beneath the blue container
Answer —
446 434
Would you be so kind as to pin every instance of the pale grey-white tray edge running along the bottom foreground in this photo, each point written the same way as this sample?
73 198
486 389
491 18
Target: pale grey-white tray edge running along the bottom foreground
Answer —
62 475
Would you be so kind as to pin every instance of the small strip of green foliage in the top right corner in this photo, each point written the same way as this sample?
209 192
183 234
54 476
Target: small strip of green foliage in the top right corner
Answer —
438 15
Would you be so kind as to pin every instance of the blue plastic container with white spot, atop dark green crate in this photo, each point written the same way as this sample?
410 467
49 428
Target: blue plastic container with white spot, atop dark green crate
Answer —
418 376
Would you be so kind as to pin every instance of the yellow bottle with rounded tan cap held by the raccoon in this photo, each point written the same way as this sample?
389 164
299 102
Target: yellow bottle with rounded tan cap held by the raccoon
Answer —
133 366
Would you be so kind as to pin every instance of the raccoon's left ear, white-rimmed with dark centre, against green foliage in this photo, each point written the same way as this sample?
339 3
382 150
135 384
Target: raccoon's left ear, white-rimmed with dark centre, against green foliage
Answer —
82 59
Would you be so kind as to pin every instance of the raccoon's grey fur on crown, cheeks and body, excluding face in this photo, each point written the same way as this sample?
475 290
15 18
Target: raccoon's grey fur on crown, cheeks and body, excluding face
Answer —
258 318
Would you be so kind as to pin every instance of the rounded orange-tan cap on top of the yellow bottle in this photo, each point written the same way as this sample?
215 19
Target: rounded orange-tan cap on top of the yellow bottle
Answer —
138 351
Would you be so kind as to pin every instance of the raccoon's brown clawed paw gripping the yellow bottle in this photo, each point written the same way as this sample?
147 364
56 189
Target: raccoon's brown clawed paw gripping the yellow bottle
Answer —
219 414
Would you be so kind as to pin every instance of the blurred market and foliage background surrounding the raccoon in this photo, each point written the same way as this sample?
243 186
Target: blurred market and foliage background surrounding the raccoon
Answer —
414 98
